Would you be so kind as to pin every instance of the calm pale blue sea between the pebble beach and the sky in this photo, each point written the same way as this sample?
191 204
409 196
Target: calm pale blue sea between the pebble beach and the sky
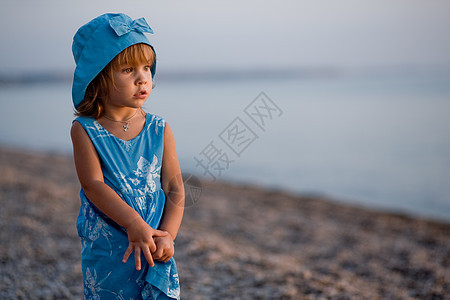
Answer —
376 139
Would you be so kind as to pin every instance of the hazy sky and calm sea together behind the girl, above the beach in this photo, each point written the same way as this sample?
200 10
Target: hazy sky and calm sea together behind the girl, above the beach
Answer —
363 87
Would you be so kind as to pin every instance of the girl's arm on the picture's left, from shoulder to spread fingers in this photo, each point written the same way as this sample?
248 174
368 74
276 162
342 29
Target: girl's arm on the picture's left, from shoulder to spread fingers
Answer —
87 163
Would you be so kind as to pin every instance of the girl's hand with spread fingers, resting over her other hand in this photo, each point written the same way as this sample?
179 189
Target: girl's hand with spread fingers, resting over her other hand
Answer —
141 240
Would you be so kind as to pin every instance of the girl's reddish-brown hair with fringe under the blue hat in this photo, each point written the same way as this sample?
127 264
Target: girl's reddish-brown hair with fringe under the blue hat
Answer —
97 90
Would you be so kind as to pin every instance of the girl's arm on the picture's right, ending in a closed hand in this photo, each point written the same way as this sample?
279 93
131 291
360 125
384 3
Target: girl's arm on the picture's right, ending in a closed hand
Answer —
172 185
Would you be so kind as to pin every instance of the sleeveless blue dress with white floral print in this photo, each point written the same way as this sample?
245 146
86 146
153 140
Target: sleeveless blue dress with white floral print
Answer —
132 169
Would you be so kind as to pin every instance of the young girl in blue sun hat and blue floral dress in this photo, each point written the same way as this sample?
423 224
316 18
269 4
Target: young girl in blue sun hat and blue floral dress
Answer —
132 194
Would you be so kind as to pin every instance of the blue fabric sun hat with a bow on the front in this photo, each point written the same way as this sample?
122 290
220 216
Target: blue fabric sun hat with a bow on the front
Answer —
97 43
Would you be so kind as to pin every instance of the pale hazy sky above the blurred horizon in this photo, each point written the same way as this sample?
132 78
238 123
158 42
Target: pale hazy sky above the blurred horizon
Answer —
211 35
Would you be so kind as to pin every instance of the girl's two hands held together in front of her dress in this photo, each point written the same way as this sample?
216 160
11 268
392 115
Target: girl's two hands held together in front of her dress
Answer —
154 244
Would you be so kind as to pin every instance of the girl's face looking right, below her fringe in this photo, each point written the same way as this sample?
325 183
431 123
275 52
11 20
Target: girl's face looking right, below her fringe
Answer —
133 85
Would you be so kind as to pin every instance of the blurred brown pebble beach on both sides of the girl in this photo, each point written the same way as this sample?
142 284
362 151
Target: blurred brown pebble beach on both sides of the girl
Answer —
236 242
